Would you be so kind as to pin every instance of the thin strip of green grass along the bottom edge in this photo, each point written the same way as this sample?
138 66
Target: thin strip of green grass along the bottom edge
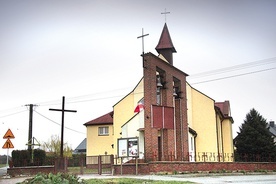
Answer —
132 181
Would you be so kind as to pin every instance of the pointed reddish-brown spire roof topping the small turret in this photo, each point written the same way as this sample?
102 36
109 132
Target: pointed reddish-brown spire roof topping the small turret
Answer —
165 41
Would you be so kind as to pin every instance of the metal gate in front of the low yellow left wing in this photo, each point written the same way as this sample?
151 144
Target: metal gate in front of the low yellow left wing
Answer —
102 164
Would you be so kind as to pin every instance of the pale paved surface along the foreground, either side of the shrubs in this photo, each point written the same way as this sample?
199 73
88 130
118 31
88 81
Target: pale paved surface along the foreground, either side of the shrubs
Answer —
240 178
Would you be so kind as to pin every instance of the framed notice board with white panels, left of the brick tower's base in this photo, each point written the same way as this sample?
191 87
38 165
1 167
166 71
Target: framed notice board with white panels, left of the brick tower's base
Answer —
128 147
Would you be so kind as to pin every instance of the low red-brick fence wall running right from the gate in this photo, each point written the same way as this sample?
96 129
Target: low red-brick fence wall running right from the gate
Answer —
192 167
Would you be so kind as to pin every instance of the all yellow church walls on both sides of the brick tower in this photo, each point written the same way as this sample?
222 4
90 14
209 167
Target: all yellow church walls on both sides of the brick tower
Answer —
213 136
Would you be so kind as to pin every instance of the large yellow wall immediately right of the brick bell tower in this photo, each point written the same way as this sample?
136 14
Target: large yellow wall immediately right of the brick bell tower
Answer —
203 122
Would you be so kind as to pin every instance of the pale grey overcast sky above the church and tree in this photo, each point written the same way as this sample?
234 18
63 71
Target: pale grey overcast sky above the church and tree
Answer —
88 51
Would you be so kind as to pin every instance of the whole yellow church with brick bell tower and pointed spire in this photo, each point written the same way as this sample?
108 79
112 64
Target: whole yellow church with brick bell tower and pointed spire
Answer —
164 118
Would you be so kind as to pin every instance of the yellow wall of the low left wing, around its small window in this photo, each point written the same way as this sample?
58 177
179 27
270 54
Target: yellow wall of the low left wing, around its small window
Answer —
95 141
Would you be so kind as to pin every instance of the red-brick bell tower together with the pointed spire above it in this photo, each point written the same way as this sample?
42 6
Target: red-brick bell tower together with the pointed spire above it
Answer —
165 107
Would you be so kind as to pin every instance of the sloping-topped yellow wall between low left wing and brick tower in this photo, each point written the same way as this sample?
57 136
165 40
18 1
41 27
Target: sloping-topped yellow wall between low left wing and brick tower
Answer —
124 111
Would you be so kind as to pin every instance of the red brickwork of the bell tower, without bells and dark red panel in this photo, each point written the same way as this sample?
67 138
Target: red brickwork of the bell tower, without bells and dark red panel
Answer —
170 76
